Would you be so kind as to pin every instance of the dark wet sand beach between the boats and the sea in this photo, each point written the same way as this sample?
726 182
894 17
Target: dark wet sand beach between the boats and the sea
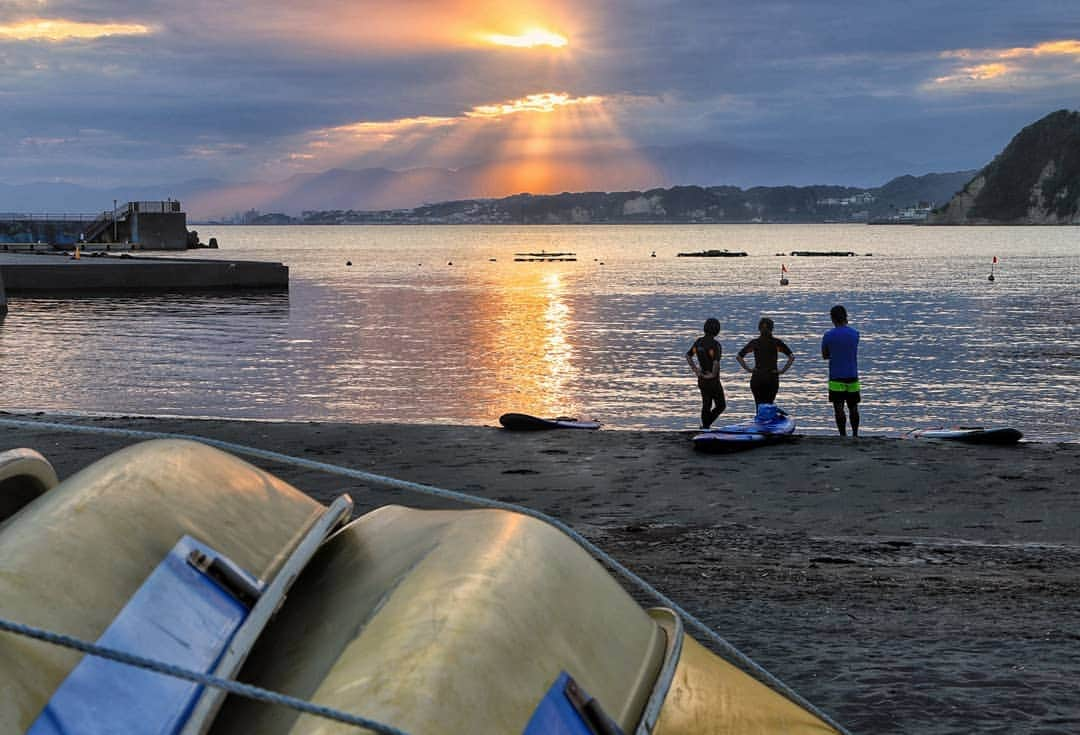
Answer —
902 587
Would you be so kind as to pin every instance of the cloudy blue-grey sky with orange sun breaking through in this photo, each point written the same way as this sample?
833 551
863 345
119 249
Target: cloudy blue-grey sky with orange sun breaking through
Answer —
615 94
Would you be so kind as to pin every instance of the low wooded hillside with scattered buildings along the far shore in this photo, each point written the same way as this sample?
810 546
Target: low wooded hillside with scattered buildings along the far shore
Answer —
677 205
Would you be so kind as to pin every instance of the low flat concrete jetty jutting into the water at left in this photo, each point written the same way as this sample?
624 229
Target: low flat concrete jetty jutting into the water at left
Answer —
110 273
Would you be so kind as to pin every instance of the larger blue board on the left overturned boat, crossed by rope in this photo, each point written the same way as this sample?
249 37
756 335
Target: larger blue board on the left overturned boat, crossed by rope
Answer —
179 616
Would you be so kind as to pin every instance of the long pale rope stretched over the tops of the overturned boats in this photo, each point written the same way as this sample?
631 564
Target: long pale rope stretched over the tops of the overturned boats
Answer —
728 650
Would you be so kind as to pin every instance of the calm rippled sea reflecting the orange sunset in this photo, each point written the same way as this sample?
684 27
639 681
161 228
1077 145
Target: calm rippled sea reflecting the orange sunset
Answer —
440 324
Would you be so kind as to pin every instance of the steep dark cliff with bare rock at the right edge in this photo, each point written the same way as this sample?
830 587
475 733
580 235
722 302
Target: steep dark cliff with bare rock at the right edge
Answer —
1035 181
